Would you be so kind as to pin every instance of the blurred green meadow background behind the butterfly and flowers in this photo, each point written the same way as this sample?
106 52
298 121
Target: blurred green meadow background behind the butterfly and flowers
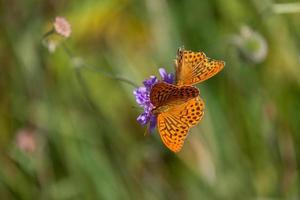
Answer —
68 125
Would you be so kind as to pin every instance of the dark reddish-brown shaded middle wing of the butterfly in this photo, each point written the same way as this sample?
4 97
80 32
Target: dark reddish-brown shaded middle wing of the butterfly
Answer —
163 93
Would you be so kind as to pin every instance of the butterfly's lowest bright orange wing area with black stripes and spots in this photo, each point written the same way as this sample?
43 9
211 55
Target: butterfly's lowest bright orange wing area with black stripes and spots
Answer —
173 125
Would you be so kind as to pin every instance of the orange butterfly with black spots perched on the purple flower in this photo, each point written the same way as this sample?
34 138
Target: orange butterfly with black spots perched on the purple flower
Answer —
179 107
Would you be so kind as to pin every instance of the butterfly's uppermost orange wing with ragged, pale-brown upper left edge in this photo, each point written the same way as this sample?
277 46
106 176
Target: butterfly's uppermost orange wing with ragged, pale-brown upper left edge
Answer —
195 67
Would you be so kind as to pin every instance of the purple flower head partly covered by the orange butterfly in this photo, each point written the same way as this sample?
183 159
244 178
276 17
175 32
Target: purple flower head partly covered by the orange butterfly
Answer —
142 97
